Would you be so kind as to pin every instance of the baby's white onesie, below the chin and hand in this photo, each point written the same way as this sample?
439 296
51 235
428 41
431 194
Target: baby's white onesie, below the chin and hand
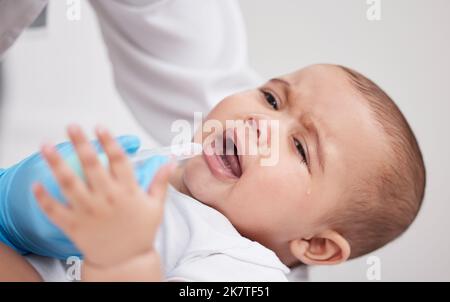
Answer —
197 243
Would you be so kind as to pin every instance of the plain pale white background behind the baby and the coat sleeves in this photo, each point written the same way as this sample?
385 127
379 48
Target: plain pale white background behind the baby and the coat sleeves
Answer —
407 53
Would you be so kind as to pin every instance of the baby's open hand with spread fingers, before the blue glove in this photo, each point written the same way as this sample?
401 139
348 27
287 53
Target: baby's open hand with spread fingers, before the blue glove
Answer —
108 217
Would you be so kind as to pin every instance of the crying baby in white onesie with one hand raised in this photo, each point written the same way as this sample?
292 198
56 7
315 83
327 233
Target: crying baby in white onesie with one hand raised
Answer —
349 179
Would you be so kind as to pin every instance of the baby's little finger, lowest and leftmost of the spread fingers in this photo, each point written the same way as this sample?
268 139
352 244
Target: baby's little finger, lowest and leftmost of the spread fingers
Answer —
57 212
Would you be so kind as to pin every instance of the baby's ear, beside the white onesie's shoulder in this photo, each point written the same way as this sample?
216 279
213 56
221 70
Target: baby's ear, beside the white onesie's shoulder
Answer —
326 248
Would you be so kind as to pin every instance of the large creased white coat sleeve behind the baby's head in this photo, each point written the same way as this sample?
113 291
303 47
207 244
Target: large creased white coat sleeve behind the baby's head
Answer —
172 58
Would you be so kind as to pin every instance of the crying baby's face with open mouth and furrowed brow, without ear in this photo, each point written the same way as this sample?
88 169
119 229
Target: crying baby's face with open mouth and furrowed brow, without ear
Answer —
327 138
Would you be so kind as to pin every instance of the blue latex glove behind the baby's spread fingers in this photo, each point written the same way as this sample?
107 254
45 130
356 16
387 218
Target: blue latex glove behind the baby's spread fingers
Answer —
23 225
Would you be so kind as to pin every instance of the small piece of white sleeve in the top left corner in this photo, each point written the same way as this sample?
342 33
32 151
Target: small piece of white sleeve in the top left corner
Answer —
15 16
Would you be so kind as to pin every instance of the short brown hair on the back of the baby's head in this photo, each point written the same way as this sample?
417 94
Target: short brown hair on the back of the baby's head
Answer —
383 205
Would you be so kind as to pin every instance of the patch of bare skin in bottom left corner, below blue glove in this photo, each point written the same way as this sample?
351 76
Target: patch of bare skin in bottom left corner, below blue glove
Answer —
15 268
